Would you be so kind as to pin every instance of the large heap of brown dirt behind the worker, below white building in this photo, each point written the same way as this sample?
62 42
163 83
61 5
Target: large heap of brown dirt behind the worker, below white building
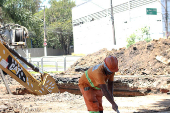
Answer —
138 59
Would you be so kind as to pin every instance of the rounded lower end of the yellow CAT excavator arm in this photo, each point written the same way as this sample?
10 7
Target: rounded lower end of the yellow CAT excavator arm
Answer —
49 83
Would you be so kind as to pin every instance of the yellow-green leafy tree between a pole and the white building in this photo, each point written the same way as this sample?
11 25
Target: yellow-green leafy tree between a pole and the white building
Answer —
59 24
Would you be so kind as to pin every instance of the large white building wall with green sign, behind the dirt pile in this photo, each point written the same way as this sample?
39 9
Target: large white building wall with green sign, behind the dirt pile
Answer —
92 36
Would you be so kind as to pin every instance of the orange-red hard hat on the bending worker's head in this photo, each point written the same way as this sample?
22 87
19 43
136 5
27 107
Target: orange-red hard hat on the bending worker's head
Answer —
112 63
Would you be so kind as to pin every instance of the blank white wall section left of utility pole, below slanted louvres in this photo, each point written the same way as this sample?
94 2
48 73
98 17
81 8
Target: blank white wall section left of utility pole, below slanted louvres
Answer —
93 36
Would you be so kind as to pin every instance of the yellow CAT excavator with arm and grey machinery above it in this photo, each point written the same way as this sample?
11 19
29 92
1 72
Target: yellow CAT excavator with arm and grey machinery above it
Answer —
12 36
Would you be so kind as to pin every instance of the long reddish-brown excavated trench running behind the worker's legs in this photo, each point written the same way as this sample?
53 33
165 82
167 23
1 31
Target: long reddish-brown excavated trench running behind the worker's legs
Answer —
118 92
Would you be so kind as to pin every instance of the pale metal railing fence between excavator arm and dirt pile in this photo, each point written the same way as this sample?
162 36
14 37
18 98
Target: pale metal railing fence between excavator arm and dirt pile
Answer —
53 63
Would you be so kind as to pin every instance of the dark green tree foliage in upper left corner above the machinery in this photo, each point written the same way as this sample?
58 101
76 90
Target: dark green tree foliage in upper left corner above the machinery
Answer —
19 11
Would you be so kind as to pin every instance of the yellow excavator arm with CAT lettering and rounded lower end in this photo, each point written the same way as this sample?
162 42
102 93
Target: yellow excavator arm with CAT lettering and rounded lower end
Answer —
11 66
